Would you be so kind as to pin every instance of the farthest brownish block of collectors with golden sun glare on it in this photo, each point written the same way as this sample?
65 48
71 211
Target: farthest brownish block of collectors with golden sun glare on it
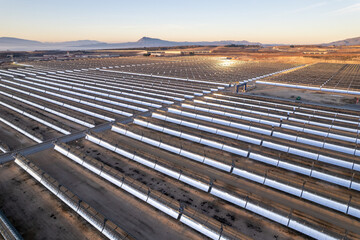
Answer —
209 69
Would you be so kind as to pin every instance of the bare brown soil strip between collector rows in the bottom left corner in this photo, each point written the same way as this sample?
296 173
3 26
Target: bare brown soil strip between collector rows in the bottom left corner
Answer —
35 212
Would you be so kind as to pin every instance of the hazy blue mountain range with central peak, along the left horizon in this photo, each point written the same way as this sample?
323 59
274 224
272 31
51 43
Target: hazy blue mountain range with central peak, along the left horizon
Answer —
16 44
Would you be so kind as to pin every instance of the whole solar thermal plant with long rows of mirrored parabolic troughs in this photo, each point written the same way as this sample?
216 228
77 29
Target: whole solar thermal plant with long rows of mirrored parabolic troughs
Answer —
166 148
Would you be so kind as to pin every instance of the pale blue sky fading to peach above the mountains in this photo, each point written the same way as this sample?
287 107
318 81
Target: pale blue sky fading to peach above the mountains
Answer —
291 21
